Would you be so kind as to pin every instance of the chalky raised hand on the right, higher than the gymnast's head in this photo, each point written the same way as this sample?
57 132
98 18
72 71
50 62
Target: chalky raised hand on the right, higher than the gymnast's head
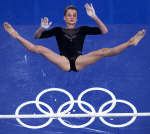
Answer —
90 10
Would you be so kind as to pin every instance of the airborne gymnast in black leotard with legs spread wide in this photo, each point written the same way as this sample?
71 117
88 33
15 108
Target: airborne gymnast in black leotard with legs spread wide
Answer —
70 41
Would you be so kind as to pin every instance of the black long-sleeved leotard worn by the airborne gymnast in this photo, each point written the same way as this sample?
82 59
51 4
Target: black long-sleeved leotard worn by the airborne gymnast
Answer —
70 41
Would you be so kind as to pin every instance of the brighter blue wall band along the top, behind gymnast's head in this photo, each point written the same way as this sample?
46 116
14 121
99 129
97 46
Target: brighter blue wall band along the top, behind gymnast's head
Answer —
111 11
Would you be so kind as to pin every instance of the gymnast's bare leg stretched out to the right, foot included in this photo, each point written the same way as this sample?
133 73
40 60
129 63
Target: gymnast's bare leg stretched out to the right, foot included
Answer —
91 58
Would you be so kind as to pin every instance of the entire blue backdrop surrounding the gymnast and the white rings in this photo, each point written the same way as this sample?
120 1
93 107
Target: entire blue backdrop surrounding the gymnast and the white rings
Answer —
23 74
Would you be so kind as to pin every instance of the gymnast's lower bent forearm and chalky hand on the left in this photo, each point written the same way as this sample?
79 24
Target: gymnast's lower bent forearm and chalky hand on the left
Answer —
44 25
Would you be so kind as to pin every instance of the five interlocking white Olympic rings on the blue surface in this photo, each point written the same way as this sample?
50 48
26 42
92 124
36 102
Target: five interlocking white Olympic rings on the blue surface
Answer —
80 103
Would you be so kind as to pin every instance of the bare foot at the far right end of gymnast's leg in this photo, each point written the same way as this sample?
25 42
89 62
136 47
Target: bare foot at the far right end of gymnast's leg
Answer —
136 38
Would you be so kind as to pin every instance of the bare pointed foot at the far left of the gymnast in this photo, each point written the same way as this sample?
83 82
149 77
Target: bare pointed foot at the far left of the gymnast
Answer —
8 28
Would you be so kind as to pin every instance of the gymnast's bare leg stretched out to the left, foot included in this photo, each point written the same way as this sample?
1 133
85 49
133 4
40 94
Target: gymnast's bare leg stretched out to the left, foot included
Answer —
56 59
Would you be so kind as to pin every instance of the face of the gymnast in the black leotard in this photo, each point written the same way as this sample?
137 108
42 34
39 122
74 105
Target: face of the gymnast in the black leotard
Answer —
71 17
